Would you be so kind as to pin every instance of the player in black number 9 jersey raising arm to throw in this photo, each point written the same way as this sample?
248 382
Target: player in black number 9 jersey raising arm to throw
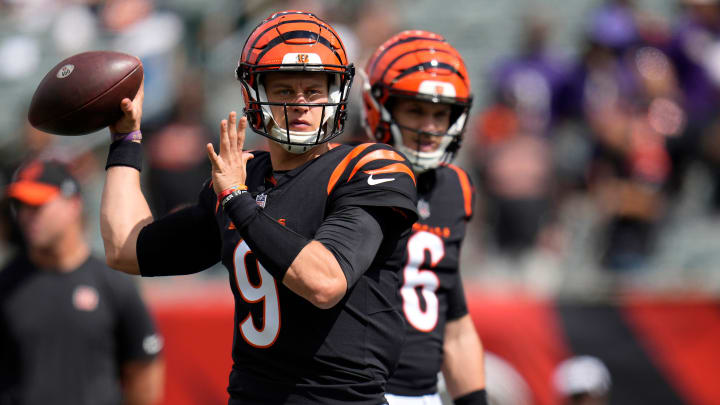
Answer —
312 235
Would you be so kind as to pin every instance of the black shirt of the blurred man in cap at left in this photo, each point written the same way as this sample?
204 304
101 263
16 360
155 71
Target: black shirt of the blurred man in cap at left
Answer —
65 336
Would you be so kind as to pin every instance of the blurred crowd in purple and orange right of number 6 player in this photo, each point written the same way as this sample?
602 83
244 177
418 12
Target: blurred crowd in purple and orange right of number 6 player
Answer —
602 169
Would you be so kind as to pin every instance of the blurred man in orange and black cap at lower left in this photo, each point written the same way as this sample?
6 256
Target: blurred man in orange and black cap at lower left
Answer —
71 330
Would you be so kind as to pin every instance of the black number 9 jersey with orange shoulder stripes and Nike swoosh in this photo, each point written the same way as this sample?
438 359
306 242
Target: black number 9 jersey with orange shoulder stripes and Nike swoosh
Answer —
286 350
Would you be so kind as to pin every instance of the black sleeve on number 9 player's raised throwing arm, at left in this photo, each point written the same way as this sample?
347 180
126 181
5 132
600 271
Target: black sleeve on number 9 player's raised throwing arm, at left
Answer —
184 242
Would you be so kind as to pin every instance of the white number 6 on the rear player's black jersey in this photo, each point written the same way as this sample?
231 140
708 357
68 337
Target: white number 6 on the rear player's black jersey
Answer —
425 280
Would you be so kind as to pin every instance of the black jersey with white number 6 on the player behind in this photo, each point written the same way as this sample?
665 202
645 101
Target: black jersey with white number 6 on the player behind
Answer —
432 291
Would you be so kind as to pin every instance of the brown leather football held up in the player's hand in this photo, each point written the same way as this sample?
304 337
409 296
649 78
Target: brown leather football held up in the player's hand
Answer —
82 93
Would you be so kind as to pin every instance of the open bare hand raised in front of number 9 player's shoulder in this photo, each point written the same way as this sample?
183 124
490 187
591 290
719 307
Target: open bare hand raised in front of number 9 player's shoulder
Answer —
228 168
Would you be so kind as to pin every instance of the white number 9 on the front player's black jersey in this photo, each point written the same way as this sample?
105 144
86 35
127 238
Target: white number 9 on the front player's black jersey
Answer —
265 291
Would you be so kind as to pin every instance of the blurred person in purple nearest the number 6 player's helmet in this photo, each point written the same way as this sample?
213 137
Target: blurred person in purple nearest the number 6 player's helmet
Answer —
512 140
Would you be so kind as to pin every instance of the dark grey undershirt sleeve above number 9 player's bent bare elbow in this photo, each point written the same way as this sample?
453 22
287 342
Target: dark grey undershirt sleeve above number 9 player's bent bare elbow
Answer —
353 236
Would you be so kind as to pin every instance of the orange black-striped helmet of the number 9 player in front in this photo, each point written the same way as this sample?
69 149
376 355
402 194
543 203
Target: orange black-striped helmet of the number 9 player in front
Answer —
294 41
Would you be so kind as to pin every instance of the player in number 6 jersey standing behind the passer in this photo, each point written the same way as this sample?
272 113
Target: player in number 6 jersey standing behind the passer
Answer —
417 98
